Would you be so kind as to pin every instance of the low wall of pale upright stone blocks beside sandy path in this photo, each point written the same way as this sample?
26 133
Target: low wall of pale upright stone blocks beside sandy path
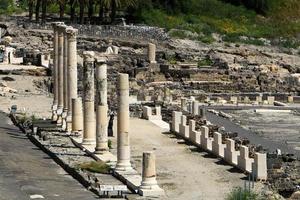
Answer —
238 158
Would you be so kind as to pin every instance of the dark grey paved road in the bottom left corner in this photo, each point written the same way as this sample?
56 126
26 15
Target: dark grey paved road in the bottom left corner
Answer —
28 173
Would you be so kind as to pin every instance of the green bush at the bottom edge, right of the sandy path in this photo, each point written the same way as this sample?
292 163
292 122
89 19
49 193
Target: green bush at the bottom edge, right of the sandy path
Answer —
241 194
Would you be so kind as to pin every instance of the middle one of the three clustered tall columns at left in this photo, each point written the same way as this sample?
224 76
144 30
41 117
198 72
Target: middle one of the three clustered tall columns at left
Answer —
65 79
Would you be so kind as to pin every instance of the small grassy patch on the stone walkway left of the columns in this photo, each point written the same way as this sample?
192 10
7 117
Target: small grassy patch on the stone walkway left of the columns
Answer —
94 166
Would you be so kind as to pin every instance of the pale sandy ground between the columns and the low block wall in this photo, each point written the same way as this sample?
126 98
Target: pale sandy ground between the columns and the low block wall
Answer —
183 171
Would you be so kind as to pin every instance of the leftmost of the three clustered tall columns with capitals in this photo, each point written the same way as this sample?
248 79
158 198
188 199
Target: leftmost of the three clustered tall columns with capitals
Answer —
61 29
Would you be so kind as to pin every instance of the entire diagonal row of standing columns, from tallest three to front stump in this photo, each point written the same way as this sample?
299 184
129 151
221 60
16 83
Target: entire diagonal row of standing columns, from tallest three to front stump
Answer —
69 112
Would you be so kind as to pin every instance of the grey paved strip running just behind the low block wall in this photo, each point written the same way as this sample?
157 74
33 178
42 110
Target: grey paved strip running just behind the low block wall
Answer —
254 138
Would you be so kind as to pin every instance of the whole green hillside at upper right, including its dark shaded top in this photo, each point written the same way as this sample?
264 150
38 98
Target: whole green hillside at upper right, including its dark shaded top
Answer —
272 19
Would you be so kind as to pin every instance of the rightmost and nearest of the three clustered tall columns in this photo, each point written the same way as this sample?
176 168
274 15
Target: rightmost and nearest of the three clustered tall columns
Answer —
71 73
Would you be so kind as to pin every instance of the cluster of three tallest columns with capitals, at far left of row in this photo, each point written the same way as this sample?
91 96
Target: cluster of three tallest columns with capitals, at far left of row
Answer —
64 73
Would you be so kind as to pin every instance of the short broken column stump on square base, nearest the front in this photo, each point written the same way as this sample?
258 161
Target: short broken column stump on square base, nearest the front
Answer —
149 186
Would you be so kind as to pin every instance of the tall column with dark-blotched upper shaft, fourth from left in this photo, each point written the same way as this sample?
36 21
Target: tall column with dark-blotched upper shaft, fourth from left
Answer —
89 123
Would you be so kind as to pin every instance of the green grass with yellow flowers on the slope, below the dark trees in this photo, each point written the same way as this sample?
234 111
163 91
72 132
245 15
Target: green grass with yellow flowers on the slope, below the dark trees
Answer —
212 16
